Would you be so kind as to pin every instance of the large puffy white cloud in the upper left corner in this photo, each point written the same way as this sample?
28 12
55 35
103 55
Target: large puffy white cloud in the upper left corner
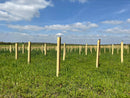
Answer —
16 10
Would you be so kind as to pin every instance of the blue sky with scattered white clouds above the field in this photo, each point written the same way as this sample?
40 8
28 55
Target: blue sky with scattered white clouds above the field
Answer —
76 21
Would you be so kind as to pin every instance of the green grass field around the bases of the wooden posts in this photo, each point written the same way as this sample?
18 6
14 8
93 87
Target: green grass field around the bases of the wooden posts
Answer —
78 77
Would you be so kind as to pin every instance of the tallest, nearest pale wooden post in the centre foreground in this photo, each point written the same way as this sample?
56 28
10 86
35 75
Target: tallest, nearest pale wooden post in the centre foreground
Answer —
58 55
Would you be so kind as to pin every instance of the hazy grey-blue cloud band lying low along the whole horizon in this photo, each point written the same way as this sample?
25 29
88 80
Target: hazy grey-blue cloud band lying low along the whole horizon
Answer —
68 39
